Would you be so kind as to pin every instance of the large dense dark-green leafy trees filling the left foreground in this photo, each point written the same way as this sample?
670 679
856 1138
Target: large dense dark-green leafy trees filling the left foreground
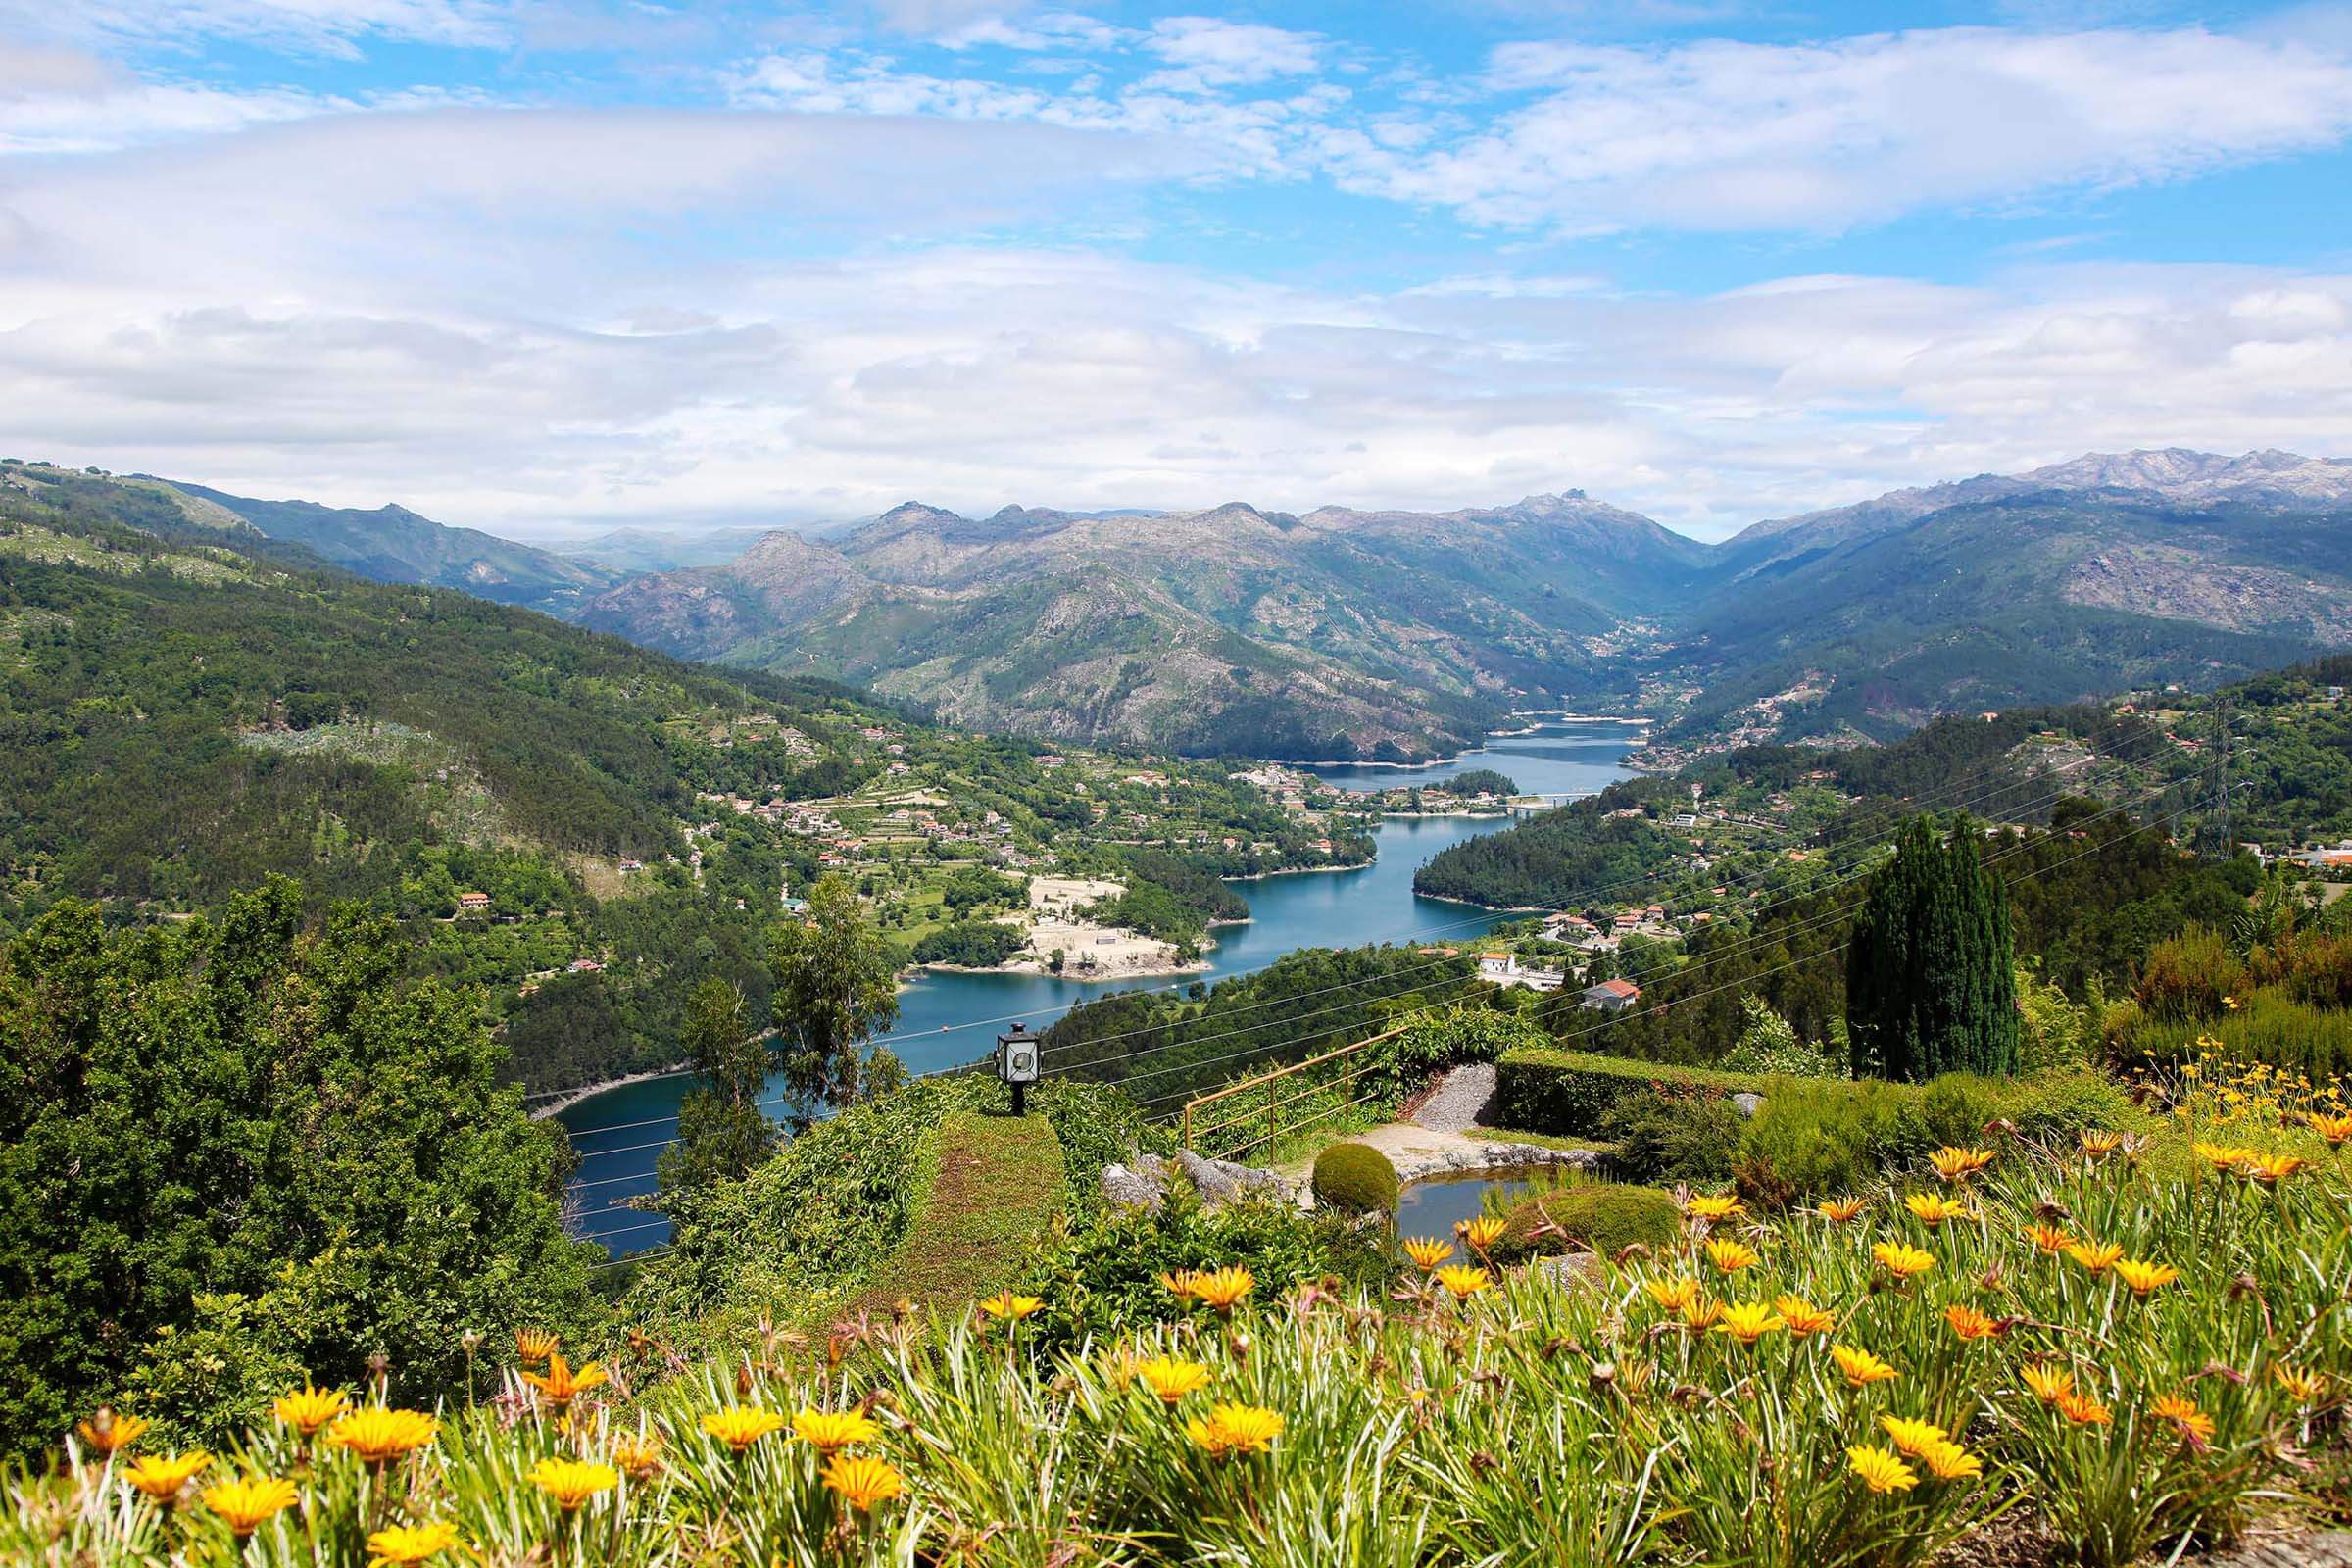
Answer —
260 1137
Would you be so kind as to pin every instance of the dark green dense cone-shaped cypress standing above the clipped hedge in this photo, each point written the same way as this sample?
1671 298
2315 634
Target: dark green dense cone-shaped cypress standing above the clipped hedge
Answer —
1930 967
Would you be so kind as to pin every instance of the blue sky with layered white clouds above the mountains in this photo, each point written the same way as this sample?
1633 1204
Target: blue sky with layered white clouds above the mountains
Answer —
570 264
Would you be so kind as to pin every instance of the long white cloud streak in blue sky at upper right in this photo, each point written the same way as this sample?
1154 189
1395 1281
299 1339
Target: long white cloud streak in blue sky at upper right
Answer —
1735 135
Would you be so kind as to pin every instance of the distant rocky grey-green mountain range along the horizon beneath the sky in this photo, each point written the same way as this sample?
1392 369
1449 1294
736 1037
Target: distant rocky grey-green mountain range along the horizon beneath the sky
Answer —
1401 636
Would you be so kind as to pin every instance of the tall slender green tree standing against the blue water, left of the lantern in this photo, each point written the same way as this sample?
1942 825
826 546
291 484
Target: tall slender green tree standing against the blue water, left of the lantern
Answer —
836 984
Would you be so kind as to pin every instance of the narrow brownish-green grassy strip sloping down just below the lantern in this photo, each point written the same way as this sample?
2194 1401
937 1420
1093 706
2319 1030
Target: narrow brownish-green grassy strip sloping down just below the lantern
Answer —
994 1188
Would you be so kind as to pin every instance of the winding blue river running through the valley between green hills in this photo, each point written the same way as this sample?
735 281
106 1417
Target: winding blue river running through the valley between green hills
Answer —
954 1019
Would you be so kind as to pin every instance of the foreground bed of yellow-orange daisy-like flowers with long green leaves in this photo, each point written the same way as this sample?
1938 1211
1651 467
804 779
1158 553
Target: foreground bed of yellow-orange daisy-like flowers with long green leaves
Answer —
2076 1353
